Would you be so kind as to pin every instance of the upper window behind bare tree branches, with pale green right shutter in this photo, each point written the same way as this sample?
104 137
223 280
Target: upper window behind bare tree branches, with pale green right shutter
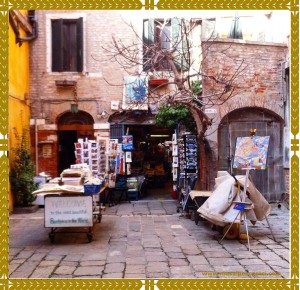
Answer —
159 38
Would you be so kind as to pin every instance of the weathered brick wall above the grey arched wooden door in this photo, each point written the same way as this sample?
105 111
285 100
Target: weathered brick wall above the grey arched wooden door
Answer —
259 84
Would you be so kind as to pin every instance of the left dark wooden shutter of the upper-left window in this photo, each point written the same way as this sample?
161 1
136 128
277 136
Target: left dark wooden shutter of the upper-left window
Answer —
57 41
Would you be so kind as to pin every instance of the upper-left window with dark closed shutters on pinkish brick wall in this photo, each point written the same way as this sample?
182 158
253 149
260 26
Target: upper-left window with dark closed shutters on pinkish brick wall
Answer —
67 45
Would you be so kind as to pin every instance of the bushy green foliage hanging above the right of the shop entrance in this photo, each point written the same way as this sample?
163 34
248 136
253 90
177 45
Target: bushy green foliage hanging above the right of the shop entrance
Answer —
170 116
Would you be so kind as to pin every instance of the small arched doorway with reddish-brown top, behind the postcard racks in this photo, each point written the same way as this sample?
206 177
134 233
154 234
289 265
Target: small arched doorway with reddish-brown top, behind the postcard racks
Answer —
71 127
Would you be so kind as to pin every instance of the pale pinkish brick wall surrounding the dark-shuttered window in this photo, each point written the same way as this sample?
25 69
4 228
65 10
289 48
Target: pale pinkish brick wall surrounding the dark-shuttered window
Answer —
99 71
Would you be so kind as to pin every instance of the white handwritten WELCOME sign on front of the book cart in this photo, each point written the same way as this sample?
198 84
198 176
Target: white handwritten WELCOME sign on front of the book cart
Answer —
68 211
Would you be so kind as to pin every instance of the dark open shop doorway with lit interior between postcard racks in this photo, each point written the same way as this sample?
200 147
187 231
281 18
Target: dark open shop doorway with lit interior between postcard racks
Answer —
151 158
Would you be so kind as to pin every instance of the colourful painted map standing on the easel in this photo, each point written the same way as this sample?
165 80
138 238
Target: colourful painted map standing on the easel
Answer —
251 152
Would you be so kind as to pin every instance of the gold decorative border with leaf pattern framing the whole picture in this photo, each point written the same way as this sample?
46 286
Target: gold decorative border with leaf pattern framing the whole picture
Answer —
149 284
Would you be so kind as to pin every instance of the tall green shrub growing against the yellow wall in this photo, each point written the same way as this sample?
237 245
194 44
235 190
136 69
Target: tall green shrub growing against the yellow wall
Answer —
22 172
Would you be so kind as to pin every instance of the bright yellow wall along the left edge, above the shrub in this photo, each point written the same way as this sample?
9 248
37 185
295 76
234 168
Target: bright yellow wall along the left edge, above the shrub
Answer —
18 107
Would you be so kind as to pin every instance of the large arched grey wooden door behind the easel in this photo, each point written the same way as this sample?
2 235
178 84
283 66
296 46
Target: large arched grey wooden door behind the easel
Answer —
270 182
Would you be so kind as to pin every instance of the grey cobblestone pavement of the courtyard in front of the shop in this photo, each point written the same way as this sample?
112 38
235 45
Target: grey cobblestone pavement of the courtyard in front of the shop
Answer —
148 240
